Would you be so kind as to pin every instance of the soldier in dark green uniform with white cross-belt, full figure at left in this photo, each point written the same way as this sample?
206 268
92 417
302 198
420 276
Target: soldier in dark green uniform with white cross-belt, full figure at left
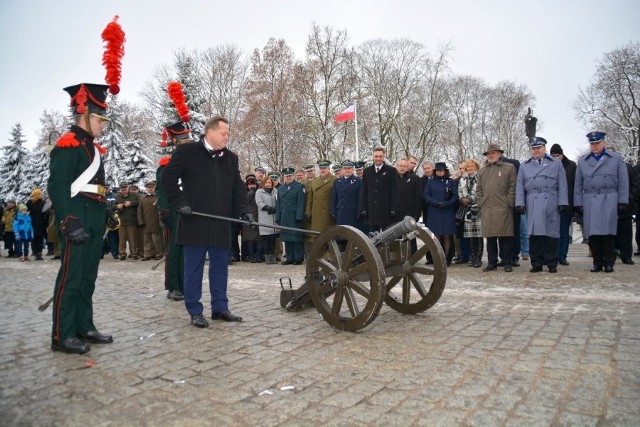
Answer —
76 189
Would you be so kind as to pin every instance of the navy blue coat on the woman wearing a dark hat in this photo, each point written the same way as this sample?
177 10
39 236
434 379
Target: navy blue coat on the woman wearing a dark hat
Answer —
442 196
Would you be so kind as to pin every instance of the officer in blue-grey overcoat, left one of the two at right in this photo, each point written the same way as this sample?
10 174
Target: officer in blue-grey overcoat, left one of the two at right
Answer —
541 191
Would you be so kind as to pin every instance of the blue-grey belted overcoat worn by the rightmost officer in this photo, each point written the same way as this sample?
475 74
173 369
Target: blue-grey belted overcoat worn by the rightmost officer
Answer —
600 187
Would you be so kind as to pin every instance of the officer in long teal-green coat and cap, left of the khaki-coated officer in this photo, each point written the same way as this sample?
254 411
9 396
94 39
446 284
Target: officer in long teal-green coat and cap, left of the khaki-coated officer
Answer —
290 206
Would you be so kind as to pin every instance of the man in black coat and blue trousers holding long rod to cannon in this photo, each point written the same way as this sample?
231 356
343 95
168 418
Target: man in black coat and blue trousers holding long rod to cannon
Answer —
211 184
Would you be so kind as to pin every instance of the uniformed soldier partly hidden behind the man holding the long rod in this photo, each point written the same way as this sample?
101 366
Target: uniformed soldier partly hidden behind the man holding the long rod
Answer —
177 133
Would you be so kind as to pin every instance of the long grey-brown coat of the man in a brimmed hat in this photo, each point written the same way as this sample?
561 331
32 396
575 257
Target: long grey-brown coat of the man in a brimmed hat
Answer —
496 191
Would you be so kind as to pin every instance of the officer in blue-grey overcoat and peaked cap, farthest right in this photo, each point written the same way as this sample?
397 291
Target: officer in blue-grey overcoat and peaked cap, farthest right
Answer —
601 191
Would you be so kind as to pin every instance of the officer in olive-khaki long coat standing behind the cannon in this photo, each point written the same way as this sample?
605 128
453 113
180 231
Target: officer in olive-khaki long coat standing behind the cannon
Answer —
317 210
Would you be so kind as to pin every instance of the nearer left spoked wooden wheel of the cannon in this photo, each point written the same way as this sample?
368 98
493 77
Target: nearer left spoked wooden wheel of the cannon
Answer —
338 259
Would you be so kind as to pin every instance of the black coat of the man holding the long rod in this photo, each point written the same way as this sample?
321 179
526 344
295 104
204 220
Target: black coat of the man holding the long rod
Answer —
211 184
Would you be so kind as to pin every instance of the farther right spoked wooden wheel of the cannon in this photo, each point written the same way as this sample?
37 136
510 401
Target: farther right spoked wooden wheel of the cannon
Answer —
412 286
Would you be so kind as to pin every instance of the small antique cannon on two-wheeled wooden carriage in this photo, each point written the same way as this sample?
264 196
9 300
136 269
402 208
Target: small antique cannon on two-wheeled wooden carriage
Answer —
349 275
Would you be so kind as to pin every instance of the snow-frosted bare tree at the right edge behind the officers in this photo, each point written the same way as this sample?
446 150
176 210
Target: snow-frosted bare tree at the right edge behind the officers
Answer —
612 101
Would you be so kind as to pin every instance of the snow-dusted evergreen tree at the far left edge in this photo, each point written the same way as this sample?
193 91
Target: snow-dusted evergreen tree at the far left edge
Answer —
13 168
